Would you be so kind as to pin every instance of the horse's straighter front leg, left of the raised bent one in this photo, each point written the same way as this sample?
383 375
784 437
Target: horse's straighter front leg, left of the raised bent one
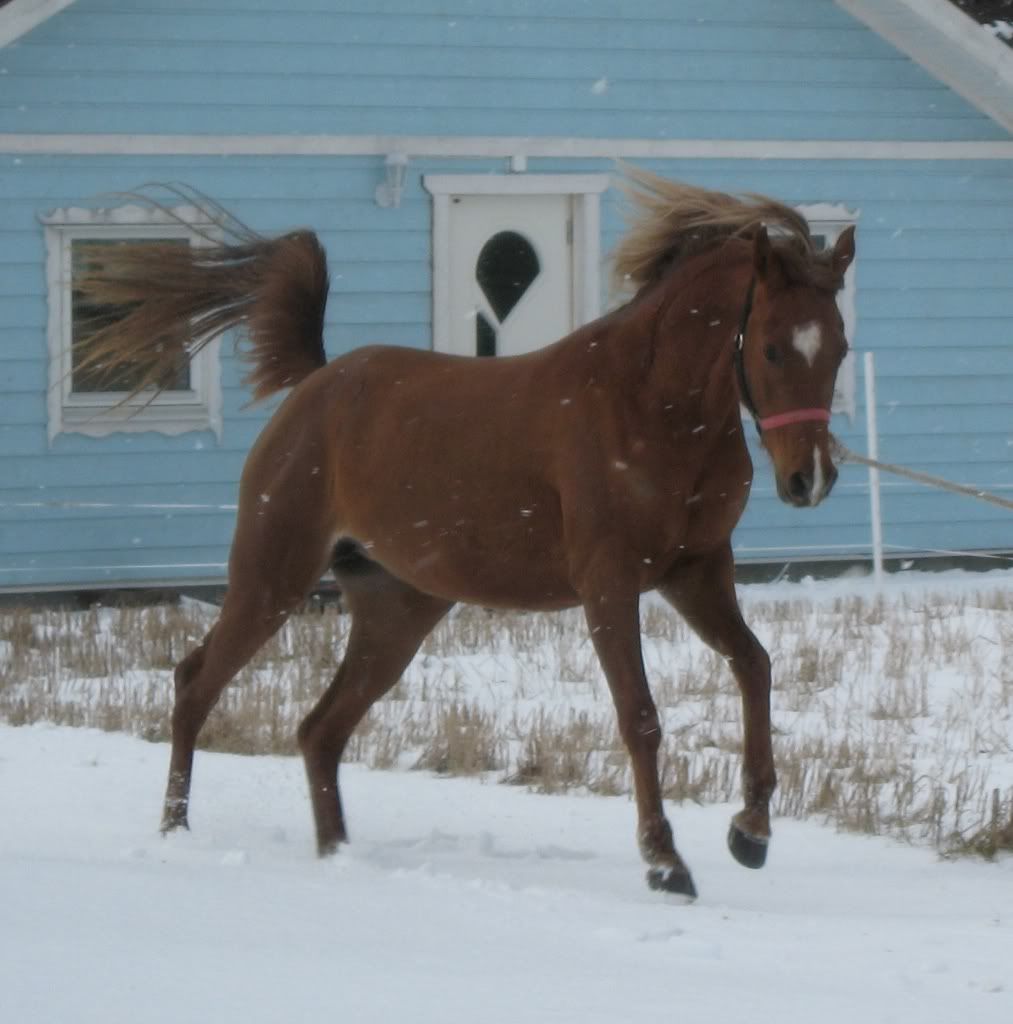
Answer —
613 612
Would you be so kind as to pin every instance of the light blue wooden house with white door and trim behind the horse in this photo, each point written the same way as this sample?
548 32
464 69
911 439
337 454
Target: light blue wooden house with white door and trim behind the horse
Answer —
413 135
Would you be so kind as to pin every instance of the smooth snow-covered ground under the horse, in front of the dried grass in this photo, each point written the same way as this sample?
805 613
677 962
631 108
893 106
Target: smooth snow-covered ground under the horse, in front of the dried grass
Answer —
456 902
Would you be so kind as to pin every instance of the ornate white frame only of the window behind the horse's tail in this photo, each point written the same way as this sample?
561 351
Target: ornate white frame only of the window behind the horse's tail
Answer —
100 414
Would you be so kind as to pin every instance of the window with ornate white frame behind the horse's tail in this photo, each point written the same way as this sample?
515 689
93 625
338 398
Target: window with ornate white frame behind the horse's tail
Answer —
80 403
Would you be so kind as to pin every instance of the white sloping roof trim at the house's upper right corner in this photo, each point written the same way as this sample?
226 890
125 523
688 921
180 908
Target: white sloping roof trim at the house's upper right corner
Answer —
949 45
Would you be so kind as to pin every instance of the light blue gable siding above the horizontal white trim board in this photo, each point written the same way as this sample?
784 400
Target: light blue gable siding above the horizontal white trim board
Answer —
697 69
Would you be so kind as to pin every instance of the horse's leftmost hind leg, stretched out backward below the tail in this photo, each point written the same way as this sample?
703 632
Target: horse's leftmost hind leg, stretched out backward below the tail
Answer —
269 577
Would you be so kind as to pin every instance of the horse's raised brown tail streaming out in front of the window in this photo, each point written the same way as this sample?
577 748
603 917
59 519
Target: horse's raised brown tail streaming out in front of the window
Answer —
180 297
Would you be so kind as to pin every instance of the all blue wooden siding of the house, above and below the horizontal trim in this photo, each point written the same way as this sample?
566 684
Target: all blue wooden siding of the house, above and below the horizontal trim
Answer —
935 273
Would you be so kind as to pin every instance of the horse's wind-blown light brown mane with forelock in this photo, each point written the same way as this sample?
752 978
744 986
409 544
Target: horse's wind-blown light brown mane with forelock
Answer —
672 223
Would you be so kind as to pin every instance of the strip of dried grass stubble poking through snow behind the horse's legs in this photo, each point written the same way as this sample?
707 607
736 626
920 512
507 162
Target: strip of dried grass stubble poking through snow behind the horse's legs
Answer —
892 717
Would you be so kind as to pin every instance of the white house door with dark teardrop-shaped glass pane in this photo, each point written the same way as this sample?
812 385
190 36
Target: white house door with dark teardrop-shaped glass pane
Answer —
512 273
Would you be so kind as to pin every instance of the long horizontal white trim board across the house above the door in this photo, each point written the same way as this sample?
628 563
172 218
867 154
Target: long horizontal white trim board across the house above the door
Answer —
517 149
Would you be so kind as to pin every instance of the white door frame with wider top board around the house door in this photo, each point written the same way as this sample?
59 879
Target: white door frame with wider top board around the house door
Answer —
585 190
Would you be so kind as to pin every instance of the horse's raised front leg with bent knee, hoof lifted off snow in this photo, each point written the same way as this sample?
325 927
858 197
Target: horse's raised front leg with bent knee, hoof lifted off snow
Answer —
704 592
